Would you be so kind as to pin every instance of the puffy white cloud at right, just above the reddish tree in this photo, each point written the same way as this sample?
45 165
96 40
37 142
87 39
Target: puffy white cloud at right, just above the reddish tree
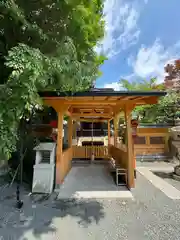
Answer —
151 61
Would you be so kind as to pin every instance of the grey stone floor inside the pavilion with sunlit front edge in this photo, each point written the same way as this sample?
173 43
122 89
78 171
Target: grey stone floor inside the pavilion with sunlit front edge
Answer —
91 181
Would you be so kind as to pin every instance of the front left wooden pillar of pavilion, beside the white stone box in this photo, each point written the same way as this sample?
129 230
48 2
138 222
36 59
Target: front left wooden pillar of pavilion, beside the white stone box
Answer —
59 151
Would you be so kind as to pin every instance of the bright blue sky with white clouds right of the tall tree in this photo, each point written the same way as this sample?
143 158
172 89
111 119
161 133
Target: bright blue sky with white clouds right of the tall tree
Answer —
141 36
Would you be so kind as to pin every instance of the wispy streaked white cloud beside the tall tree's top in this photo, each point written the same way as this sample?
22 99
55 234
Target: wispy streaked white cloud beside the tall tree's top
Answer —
121 30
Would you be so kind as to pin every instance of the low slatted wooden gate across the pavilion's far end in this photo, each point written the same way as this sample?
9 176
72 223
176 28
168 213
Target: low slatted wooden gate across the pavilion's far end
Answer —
86 151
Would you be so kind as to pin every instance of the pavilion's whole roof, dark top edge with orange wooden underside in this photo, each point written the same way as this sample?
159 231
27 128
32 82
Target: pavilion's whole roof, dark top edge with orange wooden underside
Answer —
99 104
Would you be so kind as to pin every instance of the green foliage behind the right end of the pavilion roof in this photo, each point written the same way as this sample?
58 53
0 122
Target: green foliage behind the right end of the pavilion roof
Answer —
164 111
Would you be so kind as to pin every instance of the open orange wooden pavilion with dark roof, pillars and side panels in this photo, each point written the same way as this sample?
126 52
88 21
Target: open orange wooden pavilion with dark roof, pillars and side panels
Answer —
97 105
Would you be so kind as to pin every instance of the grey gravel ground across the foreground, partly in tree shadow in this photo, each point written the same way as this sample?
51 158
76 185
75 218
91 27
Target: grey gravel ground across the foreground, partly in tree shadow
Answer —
151 215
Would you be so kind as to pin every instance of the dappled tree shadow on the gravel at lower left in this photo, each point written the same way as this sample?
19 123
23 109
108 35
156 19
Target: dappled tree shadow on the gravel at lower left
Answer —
41 214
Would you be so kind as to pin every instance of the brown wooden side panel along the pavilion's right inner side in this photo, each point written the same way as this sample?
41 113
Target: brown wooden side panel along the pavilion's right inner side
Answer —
119 155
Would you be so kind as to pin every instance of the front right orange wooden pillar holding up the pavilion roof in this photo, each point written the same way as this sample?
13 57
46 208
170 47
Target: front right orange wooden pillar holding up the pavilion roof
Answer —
129 148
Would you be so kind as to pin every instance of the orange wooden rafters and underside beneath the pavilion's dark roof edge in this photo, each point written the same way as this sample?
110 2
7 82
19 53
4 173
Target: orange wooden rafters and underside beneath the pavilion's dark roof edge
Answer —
108 106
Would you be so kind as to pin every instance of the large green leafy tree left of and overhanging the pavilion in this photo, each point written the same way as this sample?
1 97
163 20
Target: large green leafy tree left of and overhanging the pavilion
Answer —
44 44
